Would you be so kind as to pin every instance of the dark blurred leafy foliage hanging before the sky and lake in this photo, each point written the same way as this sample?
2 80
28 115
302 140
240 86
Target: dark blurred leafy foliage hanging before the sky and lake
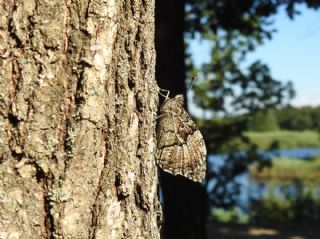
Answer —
235 28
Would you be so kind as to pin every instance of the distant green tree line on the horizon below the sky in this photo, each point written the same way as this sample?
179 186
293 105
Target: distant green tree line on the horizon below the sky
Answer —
285 118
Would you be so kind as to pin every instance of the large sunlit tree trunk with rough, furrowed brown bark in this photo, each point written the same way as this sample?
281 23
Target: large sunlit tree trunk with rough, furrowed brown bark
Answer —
77 119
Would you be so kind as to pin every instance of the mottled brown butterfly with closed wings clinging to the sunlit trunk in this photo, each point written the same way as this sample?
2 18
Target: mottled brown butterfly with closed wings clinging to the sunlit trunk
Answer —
181 148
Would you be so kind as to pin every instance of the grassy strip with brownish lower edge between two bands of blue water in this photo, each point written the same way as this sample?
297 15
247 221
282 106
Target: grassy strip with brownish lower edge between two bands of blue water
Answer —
289 169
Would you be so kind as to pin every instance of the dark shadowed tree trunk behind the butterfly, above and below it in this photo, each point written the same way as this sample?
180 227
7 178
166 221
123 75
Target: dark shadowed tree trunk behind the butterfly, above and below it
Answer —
185 202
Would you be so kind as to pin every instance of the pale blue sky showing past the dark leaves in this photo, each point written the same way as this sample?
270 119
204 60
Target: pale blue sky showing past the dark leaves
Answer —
292 54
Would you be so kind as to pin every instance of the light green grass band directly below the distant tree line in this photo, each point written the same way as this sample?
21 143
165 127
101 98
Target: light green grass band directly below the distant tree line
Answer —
285 139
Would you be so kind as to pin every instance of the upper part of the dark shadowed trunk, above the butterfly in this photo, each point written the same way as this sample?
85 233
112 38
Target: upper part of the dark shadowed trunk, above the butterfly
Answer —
170 67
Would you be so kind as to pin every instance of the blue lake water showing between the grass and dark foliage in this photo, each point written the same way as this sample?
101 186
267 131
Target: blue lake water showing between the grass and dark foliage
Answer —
254 189
